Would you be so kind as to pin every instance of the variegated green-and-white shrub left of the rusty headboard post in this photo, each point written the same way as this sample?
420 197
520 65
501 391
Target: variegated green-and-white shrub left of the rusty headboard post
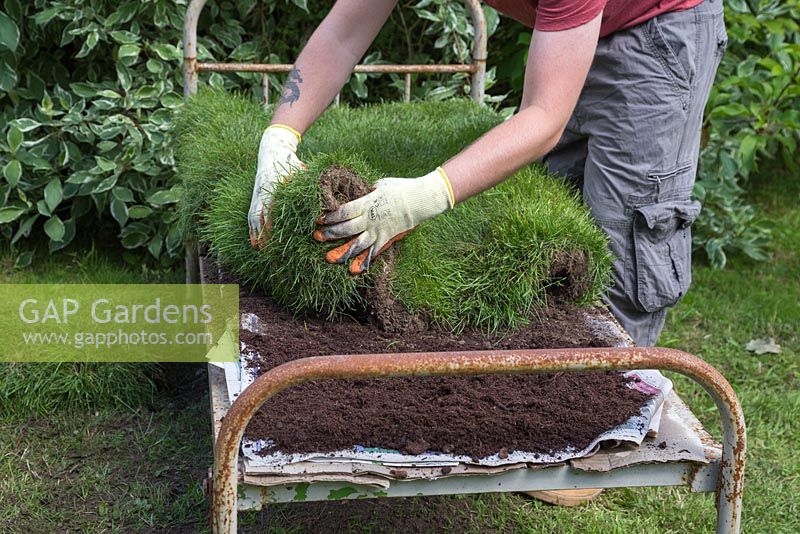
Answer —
86 99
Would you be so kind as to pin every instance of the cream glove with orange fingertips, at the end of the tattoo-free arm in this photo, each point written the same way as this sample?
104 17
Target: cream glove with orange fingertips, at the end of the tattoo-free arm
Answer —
393 208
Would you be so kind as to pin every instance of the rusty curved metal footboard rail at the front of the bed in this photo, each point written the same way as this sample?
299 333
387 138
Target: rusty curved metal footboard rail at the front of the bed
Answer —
730 481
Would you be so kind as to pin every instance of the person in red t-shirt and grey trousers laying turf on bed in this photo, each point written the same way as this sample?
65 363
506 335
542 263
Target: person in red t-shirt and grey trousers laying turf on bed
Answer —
613 100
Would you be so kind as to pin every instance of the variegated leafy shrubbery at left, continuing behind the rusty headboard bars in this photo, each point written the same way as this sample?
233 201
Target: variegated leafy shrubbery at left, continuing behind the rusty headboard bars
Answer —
86 93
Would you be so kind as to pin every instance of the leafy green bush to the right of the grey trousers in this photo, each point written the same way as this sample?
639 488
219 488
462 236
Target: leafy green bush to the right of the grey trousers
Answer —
752 124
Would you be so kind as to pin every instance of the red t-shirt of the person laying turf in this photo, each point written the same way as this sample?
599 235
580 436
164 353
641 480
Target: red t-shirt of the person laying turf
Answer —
555 15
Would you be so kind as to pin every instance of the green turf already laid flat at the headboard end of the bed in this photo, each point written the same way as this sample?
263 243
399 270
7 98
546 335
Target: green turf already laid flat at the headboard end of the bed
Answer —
218 135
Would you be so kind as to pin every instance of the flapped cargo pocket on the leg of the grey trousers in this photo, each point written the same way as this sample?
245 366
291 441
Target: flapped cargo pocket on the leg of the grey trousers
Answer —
662 242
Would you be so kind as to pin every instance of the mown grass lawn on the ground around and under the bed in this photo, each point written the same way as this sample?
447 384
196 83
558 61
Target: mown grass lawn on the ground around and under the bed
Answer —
137 468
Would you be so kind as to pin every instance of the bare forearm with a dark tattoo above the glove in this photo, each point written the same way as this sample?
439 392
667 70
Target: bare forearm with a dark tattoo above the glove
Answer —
328 60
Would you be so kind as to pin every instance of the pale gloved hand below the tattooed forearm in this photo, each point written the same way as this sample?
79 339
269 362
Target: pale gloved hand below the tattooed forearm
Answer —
277 159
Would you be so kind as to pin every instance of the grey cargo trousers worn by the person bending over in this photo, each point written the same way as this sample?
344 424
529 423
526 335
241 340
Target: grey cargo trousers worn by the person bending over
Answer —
632 147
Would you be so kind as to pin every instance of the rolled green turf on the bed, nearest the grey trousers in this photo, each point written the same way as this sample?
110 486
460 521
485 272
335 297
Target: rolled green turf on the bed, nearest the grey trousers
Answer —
488 262
